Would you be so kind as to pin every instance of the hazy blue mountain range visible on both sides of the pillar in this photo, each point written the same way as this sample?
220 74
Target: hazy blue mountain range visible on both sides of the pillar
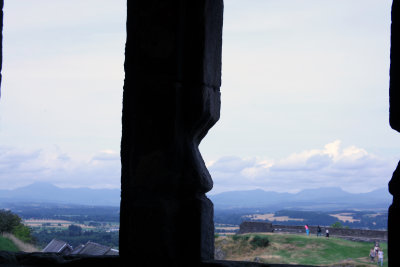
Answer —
329 198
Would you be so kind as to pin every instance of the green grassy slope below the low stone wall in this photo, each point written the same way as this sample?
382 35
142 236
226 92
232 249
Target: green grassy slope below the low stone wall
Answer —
296 249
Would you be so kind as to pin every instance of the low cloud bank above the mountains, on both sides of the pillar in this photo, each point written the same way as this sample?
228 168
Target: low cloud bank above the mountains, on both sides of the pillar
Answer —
351 168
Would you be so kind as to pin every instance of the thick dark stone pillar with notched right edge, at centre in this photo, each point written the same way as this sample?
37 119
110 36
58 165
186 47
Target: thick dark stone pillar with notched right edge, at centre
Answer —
171 99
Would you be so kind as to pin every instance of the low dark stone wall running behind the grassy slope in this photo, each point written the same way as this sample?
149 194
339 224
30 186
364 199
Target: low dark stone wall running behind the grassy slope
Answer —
353 234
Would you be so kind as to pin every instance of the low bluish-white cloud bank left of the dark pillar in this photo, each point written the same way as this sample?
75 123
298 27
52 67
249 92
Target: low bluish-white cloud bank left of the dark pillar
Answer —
23 167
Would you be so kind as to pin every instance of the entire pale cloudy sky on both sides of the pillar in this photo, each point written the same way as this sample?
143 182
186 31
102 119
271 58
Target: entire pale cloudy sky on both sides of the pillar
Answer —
304 95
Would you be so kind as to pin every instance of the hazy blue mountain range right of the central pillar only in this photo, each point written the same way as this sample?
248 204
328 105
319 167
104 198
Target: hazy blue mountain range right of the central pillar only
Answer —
327 198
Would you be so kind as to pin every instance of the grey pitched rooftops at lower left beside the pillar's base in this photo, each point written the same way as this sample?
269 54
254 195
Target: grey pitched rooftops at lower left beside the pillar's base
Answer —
90 248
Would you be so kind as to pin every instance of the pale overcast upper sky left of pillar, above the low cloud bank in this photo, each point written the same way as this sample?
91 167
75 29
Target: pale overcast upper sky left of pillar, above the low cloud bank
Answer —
63 74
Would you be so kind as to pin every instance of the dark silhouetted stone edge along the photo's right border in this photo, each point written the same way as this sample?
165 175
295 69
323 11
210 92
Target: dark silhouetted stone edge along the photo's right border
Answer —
394 118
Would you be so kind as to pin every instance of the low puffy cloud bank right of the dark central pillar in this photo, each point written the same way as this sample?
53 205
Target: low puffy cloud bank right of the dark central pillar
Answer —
351 168
